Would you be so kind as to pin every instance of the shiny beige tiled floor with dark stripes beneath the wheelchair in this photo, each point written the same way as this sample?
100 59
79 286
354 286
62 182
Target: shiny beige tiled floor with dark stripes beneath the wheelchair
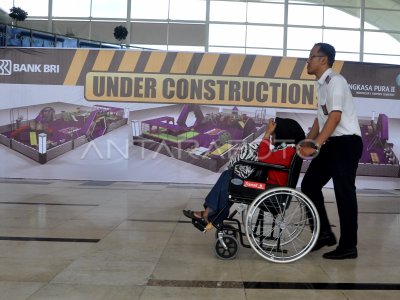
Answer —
125 240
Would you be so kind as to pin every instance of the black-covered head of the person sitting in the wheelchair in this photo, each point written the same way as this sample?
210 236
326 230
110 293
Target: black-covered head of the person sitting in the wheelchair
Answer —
288 131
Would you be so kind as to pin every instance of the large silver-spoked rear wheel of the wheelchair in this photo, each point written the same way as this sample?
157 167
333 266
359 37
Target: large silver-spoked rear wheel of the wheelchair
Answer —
282 225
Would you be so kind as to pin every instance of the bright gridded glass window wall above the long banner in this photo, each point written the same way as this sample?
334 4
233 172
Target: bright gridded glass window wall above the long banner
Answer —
361 30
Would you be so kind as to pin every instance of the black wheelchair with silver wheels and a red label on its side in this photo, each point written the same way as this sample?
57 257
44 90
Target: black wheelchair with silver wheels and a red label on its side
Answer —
280 223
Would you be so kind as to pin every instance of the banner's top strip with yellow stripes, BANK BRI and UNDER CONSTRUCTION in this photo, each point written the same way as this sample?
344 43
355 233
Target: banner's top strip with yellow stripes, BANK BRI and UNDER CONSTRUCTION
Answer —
184 78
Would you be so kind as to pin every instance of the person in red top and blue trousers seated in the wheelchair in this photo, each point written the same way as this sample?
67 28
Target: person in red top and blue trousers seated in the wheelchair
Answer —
284 135
